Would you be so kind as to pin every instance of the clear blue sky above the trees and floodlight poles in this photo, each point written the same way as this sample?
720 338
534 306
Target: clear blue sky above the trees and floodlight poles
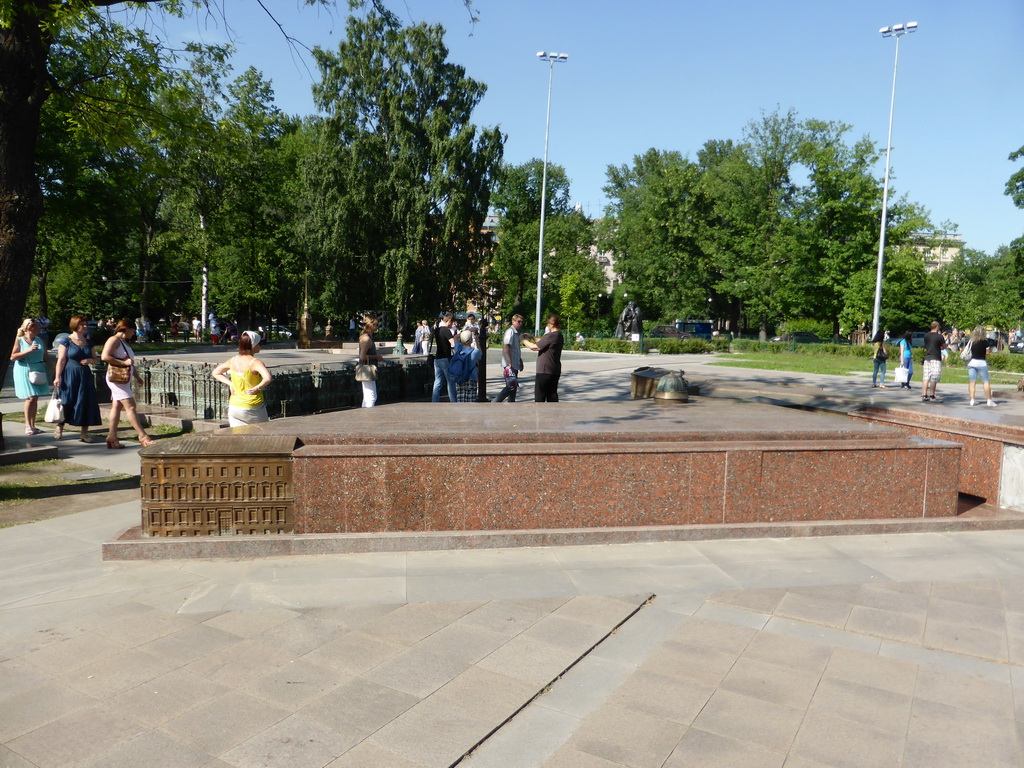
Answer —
674 74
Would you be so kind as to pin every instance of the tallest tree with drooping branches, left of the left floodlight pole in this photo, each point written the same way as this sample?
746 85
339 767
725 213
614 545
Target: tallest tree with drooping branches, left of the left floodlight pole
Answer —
400 179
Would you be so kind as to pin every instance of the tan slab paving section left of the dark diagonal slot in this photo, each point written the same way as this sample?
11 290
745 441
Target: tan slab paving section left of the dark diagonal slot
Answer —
410 681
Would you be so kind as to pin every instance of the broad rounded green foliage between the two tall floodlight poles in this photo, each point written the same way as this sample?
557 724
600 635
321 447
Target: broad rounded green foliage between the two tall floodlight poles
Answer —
778 227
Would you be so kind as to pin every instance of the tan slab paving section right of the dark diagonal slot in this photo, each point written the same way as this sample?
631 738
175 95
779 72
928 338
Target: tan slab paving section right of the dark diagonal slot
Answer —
756 698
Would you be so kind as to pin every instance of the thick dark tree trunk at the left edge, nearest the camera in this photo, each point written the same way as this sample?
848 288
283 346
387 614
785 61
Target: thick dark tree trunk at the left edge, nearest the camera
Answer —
24 49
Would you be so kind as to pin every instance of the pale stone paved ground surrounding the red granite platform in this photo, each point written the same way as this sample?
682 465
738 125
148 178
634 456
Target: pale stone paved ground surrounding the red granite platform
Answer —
868 651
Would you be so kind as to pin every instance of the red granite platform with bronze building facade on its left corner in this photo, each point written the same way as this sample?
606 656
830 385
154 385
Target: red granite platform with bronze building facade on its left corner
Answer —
424 468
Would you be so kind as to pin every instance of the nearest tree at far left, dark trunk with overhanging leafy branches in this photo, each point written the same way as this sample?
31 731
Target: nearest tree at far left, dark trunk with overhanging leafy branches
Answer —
31 32
